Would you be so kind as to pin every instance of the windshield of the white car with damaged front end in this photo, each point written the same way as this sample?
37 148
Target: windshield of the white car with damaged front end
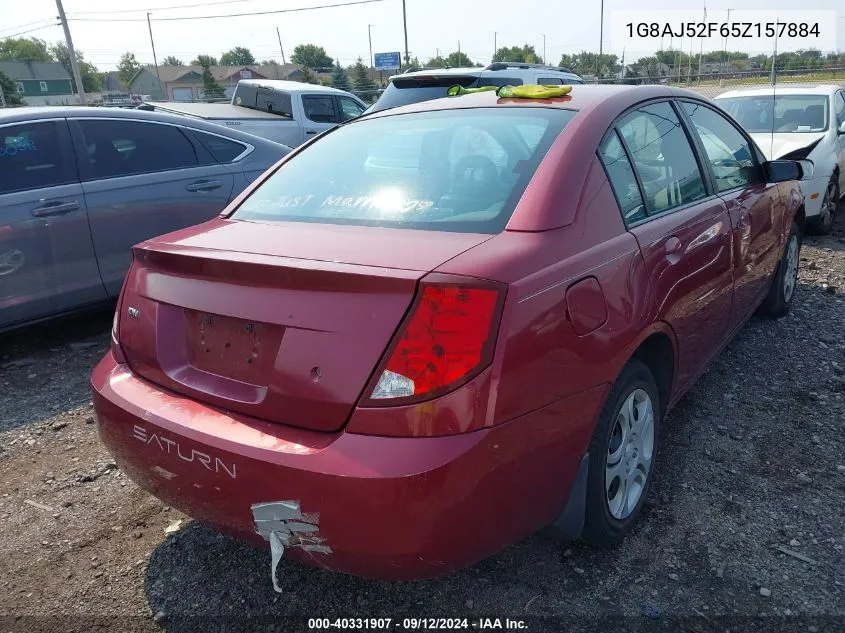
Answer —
779 113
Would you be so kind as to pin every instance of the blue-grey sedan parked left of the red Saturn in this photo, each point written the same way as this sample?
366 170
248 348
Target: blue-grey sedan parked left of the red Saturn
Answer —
80 186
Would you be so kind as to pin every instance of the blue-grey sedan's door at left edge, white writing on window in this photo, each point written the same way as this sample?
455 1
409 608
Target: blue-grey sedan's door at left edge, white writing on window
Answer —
47 260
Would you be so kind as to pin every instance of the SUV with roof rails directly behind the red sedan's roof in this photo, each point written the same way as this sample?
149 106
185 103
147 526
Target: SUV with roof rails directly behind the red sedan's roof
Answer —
432 83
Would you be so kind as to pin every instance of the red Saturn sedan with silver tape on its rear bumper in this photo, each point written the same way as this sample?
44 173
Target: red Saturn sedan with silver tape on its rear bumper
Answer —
434 330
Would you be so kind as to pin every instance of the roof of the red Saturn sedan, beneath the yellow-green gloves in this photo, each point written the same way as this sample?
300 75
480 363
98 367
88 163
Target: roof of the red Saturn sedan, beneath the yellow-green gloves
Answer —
583 97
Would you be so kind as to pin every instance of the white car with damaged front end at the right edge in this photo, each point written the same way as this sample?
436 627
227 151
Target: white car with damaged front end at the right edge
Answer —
799 123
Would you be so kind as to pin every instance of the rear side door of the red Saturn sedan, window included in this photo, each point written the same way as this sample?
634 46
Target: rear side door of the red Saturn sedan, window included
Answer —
683 230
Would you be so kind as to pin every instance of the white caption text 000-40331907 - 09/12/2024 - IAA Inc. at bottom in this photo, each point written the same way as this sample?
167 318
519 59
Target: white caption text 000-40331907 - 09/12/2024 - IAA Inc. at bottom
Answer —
417 624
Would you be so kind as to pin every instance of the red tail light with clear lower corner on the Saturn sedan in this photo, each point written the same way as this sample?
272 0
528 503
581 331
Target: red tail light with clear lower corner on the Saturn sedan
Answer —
447 339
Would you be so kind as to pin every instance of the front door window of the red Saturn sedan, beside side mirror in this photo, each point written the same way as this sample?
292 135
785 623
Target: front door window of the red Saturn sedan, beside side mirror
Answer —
728 151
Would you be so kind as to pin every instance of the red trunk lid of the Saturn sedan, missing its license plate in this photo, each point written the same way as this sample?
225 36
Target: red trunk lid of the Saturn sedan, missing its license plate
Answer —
281 321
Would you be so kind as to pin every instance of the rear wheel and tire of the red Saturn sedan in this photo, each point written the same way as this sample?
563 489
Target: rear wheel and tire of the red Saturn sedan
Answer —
622 455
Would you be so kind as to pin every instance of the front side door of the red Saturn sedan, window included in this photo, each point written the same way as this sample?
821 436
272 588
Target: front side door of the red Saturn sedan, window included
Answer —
754 205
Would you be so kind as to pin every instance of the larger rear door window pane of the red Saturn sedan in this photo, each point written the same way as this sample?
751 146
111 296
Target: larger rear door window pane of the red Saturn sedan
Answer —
663 157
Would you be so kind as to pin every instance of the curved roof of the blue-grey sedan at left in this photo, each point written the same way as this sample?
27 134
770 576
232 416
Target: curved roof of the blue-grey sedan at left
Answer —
14 115
